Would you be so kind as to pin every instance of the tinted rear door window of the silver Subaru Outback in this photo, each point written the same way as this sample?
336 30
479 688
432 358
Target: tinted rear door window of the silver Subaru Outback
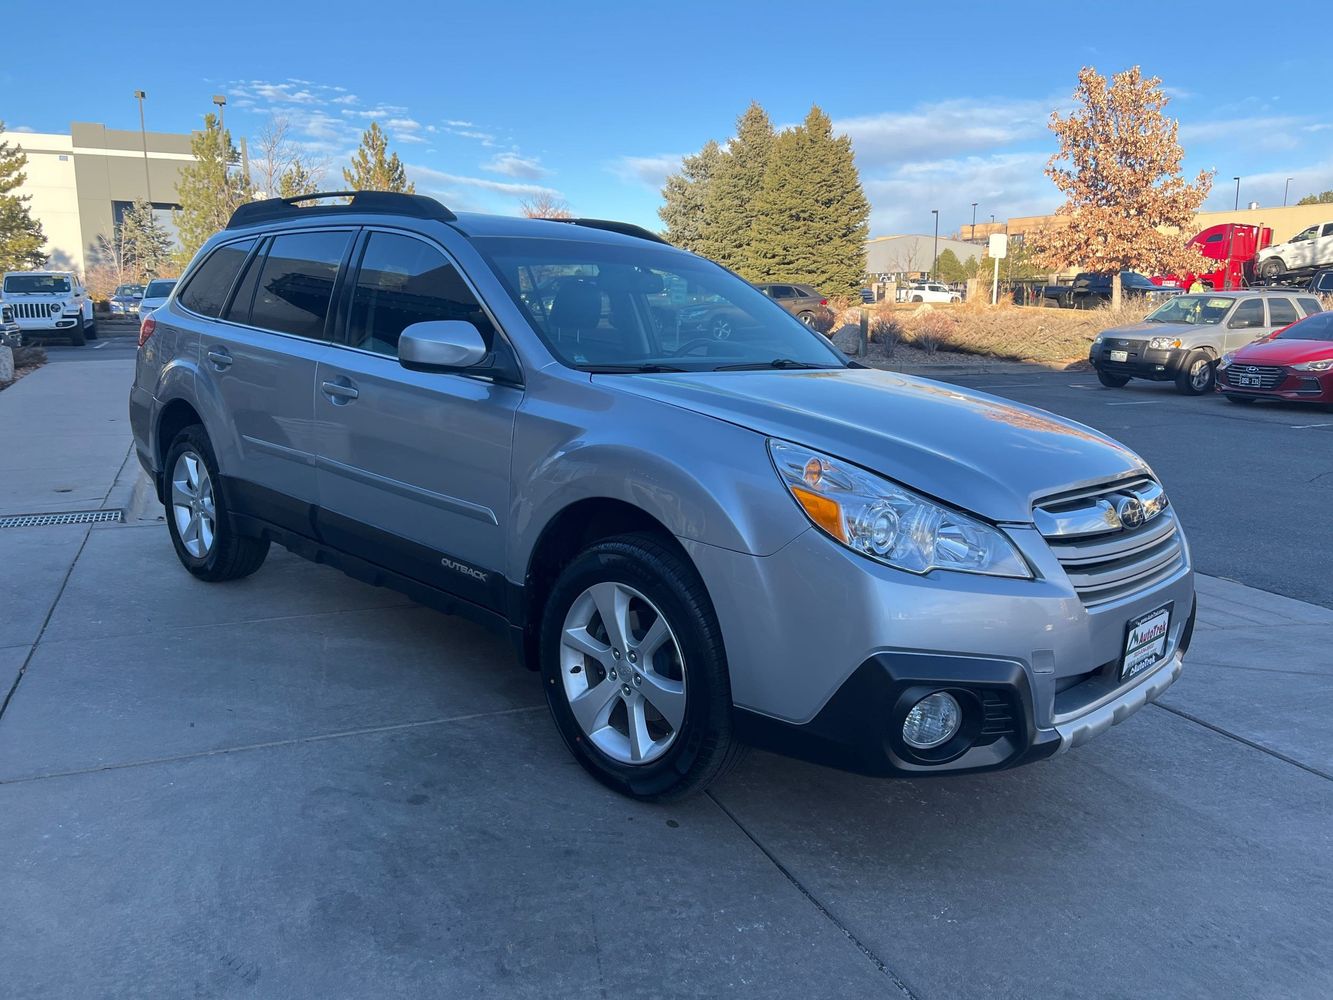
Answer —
297 283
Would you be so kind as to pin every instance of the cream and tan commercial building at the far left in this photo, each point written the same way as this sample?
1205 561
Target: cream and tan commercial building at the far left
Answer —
81 185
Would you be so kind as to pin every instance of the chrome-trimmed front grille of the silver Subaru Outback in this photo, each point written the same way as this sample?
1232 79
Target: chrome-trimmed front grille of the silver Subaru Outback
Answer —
1106 561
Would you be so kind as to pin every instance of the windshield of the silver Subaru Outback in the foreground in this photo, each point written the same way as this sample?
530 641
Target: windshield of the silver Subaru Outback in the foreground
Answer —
645 307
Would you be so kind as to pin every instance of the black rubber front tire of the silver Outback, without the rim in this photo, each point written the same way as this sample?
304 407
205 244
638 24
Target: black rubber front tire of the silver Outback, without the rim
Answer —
704 749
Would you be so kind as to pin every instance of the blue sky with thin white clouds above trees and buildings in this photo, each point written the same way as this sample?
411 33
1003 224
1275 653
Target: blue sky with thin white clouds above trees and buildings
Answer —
597 102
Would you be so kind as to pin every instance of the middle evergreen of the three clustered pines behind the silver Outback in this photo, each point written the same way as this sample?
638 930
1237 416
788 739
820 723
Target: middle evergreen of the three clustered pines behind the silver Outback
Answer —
736 183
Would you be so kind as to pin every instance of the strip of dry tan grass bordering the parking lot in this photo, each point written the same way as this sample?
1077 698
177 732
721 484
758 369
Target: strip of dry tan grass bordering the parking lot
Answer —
1006 331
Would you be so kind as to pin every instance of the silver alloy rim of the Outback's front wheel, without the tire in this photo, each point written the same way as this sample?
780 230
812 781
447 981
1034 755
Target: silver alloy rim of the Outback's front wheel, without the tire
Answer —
623 671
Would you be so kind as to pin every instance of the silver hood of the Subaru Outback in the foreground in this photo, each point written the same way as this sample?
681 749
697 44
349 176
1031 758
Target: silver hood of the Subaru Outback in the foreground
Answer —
971 450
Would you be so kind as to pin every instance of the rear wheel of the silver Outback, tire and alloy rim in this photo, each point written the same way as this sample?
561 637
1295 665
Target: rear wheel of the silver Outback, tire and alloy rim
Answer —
198 519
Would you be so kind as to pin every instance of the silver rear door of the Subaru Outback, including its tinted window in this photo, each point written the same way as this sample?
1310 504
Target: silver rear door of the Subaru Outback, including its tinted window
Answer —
261 362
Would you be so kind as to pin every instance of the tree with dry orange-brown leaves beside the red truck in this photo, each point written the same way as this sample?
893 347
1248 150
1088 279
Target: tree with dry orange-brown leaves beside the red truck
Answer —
1119 167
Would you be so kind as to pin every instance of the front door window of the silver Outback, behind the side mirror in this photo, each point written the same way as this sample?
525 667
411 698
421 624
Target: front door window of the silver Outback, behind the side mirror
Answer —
405 281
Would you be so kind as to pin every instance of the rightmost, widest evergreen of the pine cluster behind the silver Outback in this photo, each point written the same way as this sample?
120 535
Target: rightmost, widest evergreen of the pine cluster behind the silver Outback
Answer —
811 217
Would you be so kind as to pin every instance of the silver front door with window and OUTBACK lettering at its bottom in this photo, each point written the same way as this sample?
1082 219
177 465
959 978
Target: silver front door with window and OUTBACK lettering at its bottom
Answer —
414 467
